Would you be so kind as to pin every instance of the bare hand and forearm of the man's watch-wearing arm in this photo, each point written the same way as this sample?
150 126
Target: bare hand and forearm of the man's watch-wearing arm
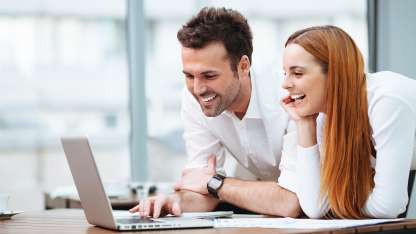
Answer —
258 196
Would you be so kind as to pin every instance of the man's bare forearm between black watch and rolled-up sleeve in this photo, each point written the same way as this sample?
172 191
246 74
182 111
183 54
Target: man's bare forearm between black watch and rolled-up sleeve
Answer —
260 197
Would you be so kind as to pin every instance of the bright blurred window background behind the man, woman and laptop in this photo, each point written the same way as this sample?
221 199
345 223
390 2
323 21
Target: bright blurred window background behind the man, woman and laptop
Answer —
64 70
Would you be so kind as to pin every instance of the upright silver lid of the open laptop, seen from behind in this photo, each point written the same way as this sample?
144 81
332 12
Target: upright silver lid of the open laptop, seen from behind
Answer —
97 207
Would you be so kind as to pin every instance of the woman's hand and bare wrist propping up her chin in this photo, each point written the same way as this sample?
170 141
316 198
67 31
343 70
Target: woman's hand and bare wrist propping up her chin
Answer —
306 125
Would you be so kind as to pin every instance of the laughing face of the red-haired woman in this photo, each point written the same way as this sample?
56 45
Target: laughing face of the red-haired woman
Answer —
304 79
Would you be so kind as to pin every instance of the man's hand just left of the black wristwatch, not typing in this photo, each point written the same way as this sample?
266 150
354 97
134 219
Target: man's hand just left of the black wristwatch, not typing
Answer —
196 179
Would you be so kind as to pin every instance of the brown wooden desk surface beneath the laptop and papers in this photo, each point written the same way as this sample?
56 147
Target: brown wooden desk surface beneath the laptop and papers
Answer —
73 221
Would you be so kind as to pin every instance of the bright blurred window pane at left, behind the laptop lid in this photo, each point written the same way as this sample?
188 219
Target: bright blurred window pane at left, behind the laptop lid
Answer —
63 72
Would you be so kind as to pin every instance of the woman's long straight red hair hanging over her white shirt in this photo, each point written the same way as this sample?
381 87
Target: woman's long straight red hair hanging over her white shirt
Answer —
346 173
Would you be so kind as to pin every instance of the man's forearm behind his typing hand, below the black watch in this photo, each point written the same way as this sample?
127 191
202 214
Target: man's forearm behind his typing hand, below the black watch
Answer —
195 202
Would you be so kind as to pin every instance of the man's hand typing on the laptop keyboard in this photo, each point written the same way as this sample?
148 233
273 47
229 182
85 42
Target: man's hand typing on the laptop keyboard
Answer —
158 206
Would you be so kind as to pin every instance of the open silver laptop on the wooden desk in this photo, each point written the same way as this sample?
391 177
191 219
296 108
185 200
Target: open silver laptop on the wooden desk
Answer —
95 202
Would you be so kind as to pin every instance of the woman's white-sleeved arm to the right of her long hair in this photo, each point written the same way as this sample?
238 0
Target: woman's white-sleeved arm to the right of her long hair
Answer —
393 124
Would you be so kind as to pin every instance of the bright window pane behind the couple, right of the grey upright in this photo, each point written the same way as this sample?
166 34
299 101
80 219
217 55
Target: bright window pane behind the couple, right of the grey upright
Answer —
271 23
